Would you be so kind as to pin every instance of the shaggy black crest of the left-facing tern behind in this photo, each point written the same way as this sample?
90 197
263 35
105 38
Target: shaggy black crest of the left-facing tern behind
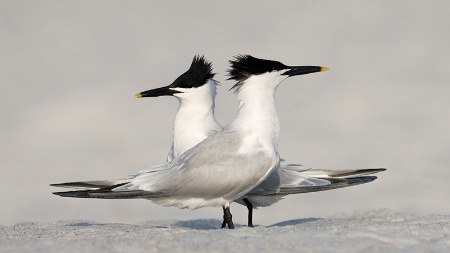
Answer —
196 76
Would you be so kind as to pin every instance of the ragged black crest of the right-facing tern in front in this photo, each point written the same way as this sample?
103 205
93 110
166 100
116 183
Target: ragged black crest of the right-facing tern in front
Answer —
244 66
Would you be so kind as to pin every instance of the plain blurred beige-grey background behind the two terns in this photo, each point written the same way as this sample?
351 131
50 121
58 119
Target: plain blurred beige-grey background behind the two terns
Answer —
69 71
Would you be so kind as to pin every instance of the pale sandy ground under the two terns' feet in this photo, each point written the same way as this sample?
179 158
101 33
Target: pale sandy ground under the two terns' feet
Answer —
375 231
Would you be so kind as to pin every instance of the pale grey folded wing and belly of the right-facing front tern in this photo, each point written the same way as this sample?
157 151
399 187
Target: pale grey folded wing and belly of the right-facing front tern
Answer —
211 169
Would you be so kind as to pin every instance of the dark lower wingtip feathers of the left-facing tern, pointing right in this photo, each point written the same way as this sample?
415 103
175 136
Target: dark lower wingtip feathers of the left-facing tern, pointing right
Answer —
335 184
